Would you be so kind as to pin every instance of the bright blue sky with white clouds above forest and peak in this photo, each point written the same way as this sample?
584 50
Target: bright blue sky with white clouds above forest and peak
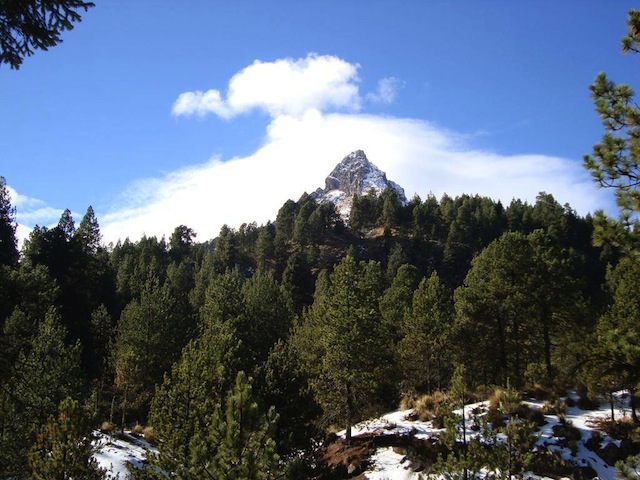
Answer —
460 97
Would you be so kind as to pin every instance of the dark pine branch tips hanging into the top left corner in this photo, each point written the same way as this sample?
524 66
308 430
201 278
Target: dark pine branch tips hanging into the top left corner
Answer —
31 25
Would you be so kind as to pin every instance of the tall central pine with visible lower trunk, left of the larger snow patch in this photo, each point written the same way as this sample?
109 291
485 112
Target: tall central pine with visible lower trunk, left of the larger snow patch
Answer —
344 344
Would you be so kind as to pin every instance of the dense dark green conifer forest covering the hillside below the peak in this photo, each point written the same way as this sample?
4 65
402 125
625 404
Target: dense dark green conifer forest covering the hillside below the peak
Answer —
280 331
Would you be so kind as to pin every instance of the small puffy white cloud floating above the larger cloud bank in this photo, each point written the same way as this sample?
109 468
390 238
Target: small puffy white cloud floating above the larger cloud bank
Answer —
285 86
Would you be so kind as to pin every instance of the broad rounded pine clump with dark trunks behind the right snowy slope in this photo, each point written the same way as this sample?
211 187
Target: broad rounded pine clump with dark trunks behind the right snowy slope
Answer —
516 297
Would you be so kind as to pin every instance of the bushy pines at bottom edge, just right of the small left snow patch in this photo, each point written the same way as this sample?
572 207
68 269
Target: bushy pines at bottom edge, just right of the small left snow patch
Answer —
206 435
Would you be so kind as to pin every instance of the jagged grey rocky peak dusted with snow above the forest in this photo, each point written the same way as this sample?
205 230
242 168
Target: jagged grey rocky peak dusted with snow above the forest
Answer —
354 175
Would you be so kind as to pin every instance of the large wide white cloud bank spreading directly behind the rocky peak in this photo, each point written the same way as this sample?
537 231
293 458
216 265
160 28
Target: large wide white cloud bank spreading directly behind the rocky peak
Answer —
300 151
